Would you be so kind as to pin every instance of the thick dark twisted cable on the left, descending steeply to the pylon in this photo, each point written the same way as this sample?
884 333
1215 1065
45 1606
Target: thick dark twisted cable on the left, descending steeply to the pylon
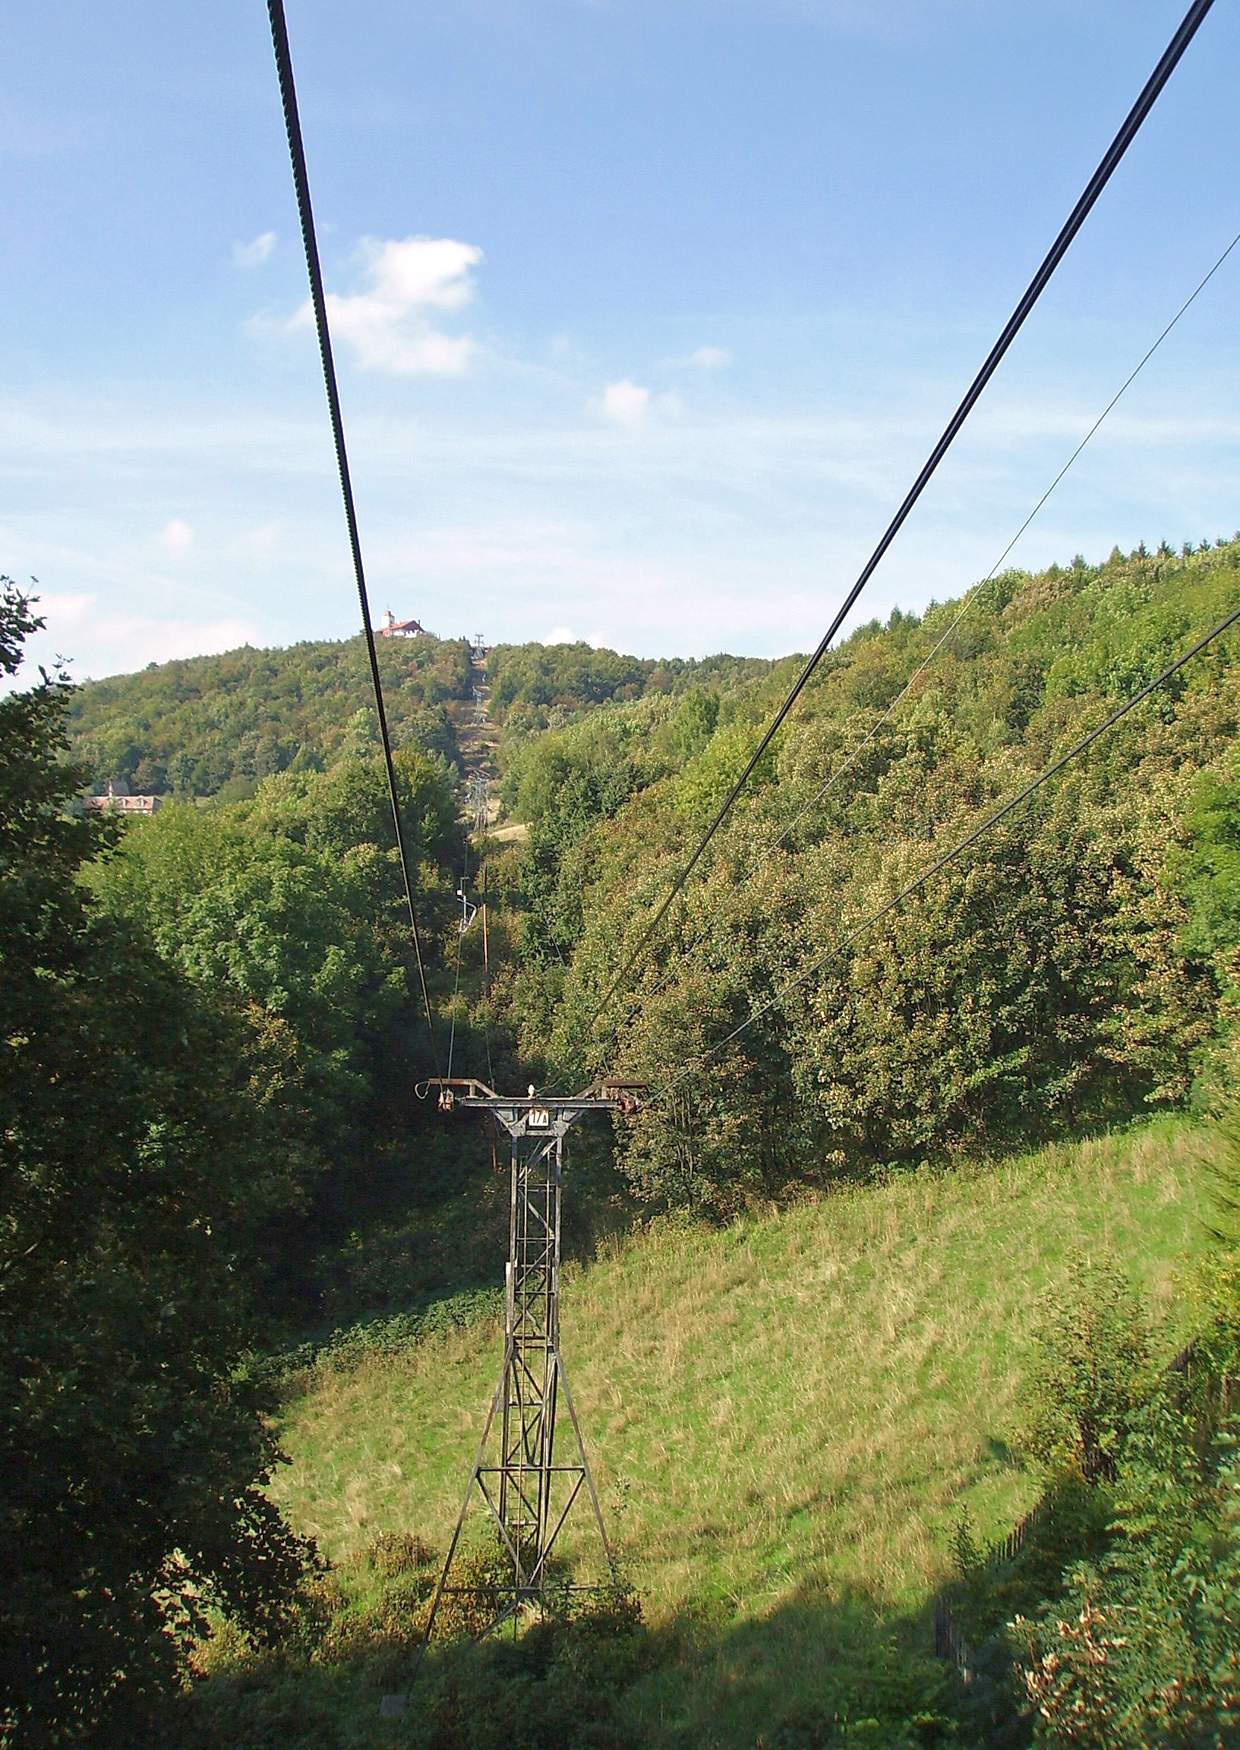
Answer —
314 270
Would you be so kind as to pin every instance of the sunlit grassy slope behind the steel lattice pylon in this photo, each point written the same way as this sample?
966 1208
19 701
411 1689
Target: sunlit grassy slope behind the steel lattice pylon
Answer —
786 1415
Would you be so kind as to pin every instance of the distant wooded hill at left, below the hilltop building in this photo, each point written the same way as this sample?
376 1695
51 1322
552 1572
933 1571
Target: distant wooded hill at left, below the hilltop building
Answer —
221 724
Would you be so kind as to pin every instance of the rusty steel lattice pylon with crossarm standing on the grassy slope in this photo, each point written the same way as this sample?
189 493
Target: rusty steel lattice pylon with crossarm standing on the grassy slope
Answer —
526 1492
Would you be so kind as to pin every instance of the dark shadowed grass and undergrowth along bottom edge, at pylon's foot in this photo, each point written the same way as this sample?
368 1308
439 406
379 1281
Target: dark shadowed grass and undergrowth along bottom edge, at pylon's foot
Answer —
819 1669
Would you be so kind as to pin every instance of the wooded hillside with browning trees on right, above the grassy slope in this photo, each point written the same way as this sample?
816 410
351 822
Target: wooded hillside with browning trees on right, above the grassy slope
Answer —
1076 965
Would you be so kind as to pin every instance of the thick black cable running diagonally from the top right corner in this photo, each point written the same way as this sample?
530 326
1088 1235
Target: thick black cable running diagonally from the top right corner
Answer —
1012 328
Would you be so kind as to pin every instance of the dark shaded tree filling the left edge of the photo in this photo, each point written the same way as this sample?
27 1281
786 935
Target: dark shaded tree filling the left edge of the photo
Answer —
132 1460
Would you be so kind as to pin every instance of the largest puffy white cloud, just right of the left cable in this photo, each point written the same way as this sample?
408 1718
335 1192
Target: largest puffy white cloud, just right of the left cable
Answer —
387 325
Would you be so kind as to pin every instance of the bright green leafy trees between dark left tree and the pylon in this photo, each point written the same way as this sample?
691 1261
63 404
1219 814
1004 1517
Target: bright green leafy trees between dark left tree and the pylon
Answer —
288 916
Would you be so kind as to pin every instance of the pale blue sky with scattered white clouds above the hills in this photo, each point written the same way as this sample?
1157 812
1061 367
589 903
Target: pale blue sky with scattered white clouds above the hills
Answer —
646 312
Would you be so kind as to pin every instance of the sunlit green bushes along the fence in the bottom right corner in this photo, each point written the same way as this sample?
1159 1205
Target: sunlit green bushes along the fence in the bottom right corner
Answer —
1118 1620
